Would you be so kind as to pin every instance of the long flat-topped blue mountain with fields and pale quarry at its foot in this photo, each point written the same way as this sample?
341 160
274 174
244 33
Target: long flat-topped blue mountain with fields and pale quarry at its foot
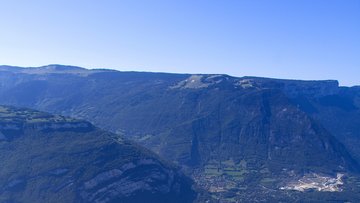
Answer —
240 138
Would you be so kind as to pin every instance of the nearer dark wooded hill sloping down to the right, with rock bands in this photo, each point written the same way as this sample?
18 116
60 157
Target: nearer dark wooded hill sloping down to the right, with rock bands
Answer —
48 158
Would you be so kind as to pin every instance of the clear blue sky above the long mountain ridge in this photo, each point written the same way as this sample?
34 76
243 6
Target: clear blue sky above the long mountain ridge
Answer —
299 39
